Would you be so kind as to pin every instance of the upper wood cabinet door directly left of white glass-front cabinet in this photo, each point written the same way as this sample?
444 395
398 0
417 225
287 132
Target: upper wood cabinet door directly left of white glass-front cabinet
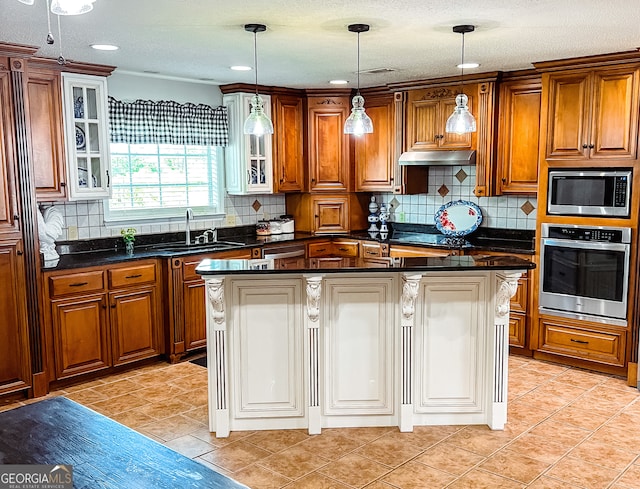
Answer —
47 134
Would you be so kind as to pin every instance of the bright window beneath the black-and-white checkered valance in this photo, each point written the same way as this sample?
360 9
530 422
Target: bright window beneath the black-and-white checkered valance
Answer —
161 180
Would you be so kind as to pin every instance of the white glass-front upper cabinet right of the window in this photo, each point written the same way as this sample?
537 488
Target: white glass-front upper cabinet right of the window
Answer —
248 160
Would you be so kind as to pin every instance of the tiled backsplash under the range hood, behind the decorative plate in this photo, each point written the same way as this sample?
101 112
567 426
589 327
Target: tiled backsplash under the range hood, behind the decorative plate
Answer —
457 183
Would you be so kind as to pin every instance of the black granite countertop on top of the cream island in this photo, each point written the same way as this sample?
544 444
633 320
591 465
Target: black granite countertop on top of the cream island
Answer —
211 267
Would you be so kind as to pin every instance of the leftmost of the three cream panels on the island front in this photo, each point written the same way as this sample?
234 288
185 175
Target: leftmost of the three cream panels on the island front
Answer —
268 345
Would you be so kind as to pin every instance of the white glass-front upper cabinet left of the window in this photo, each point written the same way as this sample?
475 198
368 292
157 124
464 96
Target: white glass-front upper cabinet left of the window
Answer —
86 136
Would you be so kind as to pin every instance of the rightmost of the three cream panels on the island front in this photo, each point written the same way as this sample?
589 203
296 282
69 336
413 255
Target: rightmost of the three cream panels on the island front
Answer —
451 343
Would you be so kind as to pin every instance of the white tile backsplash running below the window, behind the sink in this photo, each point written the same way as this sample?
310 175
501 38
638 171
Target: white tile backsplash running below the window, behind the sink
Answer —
85 219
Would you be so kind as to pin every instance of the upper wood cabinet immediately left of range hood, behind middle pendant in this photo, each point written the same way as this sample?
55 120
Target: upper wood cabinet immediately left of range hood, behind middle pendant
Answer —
374 153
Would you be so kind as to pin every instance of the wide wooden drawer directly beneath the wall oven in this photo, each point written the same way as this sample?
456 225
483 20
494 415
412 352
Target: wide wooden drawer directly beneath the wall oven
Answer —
604 346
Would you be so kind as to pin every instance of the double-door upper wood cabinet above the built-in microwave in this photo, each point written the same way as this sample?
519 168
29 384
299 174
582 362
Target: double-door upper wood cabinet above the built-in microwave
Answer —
592 114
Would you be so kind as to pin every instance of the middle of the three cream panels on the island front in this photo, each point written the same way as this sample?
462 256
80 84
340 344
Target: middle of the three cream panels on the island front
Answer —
359 351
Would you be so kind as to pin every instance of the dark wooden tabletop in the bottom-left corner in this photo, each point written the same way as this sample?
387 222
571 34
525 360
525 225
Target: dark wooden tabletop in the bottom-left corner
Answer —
103 453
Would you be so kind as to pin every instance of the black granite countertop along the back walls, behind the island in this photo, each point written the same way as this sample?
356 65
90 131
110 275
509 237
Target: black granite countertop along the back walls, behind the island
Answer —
106 251
